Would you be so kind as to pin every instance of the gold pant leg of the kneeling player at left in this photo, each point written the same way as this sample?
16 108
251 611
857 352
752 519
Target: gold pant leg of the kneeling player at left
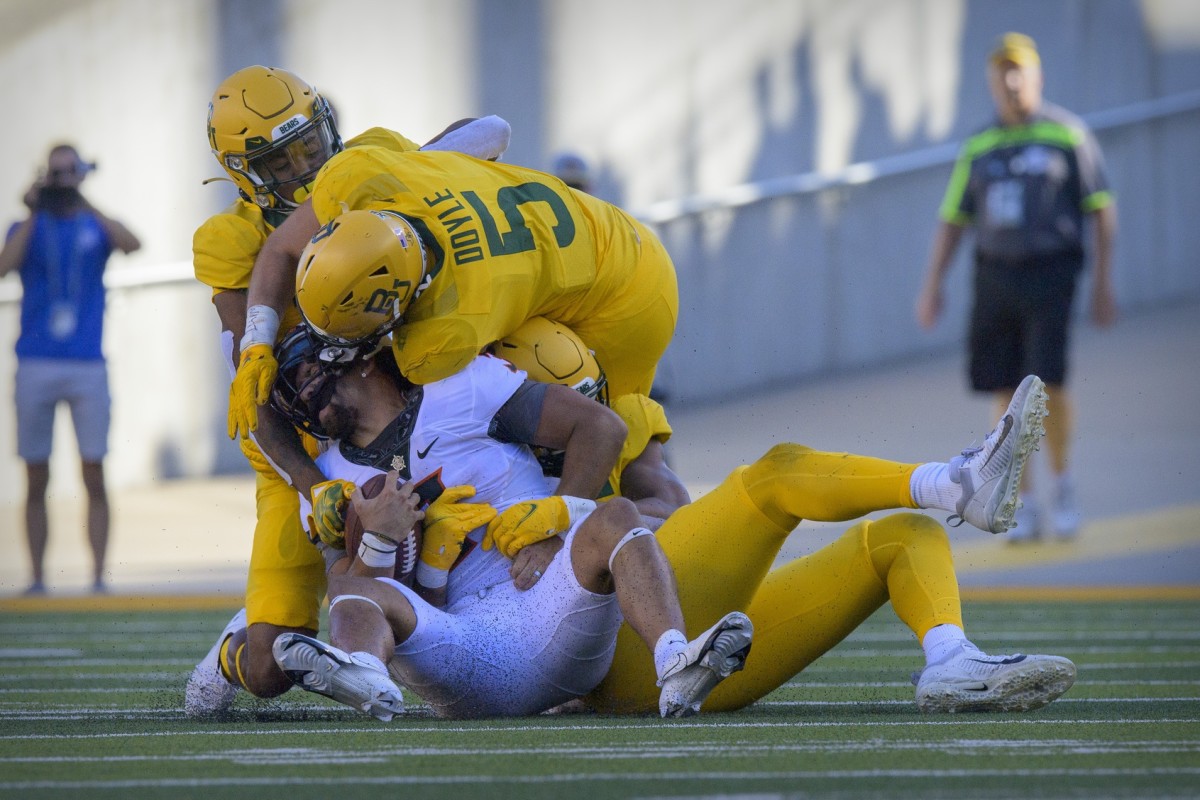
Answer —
287 574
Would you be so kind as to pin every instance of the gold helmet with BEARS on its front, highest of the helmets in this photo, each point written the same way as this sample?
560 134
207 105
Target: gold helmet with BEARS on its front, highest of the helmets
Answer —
272 133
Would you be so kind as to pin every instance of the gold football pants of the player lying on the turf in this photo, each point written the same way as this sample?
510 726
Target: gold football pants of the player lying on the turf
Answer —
723 548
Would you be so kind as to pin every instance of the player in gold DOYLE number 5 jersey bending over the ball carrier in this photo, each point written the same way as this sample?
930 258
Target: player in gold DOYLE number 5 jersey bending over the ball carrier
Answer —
500 244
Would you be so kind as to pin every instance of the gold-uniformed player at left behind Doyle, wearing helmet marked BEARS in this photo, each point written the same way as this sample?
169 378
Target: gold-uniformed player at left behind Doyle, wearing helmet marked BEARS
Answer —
272 131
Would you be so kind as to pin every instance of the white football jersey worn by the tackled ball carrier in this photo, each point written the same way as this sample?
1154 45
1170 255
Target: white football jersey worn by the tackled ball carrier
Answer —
442 441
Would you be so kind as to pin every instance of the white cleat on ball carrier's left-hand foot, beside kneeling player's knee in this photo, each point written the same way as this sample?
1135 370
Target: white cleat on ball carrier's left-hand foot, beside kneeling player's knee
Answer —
325 670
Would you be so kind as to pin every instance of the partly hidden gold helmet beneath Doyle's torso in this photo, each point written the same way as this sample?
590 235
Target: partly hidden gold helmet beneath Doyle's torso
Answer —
554 354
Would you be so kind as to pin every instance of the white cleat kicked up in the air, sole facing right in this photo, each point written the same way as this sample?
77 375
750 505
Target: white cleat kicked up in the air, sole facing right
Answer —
991 476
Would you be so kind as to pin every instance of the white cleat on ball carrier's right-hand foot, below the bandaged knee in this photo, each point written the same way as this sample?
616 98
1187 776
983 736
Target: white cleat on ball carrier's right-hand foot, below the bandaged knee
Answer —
710 659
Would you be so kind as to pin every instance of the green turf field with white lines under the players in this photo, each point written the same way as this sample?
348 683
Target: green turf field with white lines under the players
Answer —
91 707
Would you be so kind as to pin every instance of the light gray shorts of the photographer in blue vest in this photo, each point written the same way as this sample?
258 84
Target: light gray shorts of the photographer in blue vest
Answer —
41 386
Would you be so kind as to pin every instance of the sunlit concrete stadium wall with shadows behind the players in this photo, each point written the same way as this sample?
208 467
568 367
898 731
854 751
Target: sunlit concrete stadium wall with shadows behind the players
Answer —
668 100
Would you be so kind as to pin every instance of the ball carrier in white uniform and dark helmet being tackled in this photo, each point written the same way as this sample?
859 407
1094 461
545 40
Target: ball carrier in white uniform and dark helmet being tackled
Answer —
496 649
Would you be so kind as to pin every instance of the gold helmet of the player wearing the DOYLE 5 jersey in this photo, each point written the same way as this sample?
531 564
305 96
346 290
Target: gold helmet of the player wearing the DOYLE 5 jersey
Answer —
358 276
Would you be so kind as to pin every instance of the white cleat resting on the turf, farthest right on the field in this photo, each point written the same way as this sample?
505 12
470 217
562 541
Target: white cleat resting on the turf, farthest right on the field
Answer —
976 682
